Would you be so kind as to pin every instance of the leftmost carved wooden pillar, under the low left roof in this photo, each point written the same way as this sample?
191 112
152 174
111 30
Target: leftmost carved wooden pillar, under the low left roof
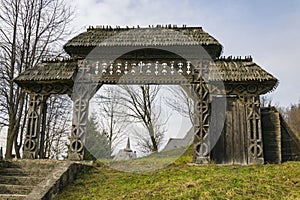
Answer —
34 131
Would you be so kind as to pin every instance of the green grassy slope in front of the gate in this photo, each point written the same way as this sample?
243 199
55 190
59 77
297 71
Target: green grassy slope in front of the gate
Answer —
182 181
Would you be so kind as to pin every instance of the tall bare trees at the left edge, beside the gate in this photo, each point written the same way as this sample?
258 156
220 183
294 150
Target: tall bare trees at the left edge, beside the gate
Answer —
30 30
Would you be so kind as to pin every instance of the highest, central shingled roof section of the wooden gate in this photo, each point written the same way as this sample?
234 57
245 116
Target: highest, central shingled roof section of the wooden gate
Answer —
142 37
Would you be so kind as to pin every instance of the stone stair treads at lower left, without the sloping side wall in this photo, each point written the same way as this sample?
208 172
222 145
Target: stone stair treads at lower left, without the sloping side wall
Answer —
18 178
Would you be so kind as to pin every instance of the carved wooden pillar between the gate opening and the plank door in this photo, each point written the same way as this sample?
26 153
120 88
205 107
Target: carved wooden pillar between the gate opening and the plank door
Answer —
201 122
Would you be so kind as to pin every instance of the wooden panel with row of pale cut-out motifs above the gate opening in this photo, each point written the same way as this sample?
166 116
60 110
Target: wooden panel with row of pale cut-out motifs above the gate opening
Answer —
139 72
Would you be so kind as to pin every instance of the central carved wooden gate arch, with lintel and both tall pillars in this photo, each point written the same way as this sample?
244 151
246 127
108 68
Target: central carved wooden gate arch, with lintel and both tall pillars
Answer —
152 65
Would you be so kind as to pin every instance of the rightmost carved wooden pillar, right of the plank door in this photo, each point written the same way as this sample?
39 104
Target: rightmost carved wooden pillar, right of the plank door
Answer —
254 130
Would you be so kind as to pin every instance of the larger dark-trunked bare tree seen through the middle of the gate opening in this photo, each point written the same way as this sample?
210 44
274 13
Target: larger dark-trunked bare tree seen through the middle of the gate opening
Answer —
141 102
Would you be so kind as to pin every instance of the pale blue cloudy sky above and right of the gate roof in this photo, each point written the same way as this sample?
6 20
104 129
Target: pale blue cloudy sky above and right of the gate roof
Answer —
268 30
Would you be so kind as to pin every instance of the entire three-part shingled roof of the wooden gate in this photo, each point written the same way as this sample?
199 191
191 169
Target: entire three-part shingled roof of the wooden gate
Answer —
230 70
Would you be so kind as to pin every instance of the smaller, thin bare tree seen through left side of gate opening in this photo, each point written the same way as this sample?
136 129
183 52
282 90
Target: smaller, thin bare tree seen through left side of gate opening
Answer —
111 115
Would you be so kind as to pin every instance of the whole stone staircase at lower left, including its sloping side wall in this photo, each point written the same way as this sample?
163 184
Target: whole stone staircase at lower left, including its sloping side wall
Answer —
36 179
